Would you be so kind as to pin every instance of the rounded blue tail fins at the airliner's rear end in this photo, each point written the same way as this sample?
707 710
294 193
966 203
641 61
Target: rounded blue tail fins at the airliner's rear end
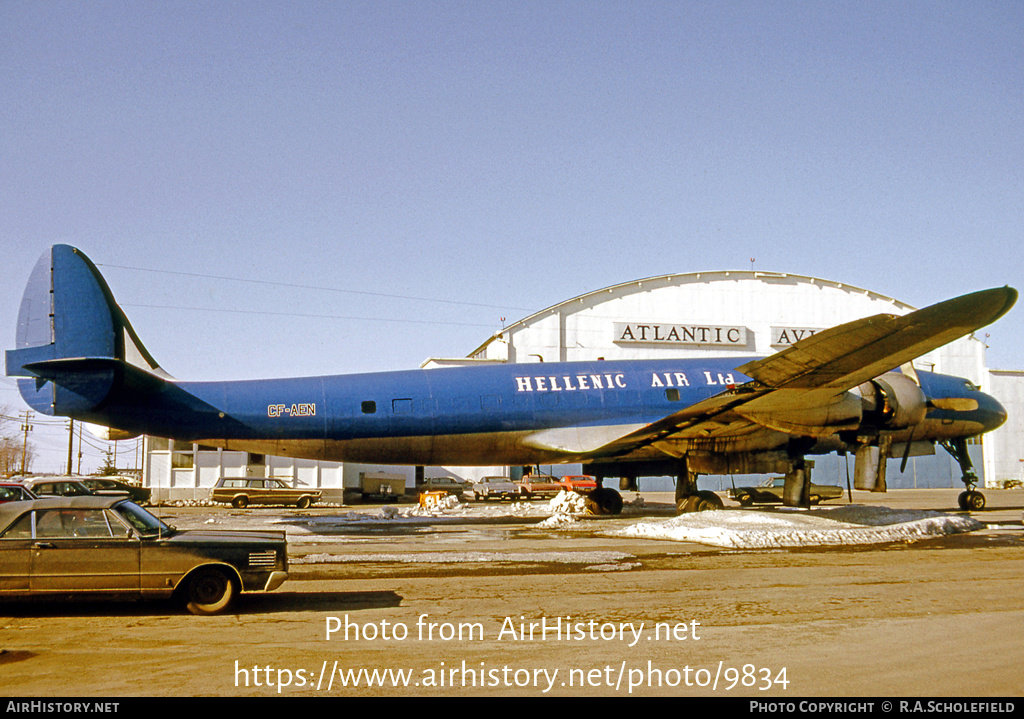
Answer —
74 344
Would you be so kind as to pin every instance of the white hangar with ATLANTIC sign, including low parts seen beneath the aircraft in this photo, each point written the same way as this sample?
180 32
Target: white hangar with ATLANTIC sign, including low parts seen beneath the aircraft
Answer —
694 315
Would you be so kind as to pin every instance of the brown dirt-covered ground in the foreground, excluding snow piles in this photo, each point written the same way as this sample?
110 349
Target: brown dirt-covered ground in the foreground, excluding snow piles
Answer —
564 613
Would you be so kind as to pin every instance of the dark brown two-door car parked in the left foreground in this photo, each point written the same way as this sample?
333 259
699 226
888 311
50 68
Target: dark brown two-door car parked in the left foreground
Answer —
110 546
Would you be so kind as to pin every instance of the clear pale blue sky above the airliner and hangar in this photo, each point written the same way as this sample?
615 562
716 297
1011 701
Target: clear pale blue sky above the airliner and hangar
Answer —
345 187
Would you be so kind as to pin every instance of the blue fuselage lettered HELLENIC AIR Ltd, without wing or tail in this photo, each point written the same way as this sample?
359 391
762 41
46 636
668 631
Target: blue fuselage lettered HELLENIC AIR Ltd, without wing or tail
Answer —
460 416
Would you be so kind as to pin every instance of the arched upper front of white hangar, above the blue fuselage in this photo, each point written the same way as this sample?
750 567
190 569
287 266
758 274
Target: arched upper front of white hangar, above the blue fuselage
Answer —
743 313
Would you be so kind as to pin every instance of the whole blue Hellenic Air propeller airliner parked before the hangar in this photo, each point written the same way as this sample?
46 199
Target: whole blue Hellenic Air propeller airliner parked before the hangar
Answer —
851 389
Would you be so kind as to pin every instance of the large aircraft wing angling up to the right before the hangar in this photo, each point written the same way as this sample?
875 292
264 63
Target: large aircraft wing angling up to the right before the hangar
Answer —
815 372
